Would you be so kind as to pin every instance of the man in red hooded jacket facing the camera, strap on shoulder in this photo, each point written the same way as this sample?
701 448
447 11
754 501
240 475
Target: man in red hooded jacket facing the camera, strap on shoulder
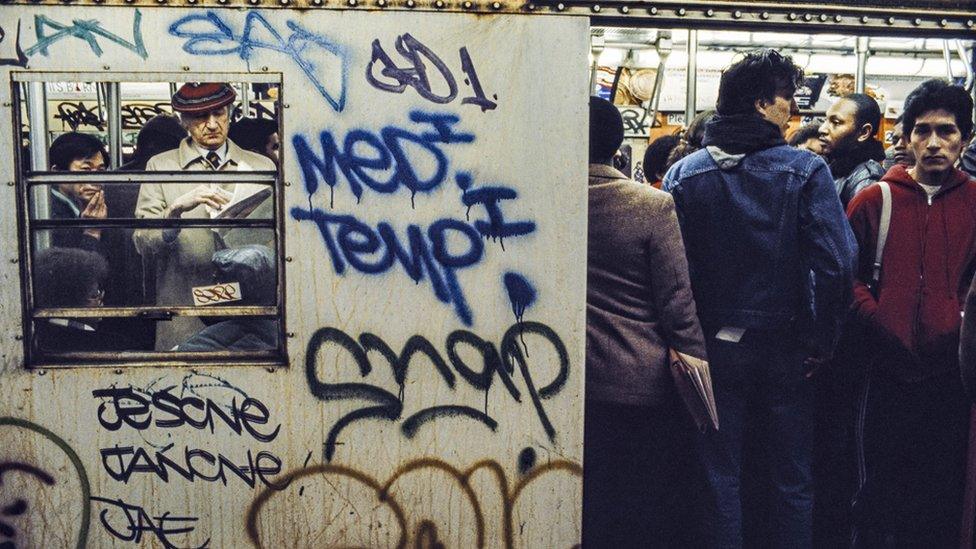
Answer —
914 415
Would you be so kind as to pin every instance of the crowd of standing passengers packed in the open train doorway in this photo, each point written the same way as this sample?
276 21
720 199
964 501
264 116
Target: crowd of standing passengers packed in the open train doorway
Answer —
825 281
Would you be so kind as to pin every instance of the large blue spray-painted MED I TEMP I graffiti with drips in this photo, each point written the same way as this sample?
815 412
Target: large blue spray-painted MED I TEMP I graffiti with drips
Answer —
435 253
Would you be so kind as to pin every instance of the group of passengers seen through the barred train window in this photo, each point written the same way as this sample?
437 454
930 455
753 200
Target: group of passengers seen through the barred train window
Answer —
118 267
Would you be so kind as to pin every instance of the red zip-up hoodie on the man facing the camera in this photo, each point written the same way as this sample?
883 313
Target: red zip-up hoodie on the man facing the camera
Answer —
926 268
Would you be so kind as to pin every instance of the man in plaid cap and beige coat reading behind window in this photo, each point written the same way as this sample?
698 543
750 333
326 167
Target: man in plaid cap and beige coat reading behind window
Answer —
183 257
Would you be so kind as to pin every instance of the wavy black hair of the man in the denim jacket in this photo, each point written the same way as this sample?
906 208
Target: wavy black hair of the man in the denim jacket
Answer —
763 74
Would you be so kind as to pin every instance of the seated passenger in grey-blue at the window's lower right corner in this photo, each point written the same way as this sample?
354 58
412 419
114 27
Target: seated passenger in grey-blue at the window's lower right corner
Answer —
253 267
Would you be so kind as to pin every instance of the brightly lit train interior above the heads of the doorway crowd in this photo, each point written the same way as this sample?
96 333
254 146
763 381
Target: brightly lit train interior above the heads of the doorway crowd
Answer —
645 72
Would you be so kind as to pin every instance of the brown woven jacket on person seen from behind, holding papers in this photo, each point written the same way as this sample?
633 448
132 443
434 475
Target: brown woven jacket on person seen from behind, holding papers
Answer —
638 297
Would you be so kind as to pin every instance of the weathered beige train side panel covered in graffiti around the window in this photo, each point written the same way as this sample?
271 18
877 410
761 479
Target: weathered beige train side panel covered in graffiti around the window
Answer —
495 480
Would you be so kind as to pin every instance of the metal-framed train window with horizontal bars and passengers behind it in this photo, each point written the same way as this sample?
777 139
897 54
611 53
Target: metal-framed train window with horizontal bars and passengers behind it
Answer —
150 218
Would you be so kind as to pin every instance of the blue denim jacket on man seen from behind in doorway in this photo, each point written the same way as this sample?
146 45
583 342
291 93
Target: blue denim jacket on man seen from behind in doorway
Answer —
769 247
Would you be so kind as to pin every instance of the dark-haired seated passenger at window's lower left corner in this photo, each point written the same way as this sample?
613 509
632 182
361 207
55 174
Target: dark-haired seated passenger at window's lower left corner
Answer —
69 277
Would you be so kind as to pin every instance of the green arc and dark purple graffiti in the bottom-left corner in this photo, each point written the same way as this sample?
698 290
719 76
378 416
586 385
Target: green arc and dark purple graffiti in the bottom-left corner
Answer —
18 508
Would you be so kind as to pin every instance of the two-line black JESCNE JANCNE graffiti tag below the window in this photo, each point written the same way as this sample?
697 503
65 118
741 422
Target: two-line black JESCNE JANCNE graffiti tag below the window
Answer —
163 409
